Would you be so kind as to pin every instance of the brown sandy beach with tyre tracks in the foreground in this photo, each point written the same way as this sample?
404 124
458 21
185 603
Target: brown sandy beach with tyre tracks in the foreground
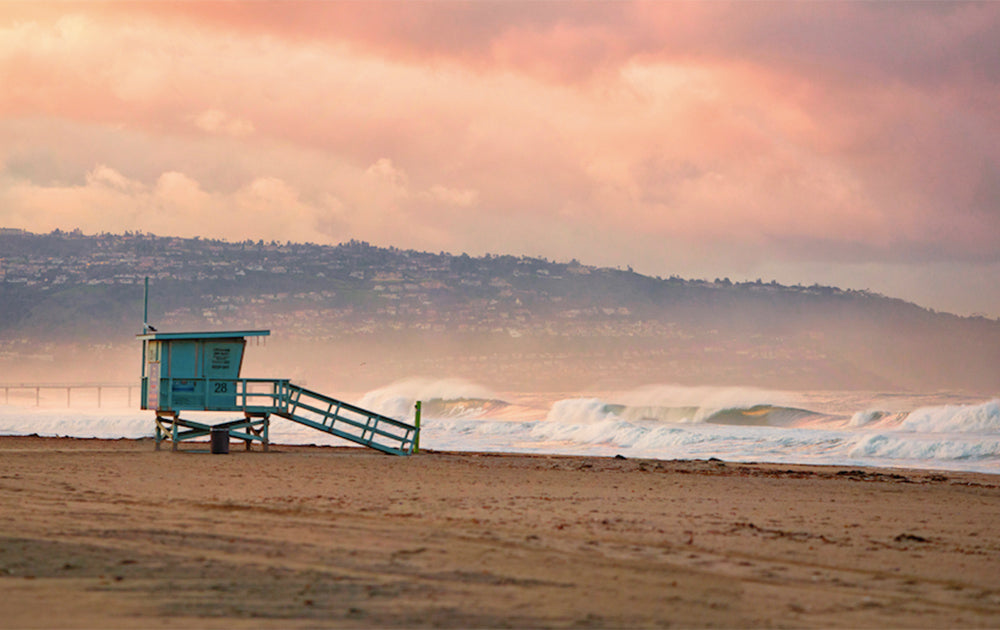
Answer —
97 533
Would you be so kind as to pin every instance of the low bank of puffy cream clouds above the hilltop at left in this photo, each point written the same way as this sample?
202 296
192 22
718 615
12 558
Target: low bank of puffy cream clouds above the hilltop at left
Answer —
380 205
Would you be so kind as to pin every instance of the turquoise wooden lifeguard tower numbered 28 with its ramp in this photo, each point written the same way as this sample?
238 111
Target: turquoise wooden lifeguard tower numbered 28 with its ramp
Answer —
200 371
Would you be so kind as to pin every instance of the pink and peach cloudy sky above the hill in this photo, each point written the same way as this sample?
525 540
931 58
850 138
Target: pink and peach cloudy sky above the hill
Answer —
854 144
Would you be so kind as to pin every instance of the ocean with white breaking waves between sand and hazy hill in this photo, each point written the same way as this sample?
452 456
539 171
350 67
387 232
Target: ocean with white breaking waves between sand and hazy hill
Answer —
931 431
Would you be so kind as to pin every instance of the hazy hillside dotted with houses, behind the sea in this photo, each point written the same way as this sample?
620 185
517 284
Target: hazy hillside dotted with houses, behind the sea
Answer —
356 316
